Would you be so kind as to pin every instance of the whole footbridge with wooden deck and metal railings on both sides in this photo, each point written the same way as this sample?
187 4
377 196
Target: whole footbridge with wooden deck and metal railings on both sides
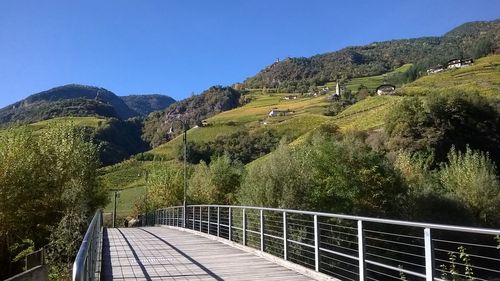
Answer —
214 242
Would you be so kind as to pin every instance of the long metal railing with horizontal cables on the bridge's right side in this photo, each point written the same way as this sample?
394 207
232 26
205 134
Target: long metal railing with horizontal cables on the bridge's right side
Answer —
350 247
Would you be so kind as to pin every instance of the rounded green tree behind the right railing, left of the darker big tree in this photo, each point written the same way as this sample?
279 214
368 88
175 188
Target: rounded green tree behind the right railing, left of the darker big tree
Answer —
349 177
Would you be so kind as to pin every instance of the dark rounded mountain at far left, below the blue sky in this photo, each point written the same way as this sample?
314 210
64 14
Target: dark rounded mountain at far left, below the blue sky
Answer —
68 100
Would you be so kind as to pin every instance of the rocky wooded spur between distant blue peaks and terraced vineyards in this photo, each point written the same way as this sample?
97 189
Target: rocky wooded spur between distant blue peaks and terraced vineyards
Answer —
191 111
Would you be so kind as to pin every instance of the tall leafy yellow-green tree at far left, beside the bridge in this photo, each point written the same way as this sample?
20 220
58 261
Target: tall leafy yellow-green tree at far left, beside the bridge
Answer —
48 188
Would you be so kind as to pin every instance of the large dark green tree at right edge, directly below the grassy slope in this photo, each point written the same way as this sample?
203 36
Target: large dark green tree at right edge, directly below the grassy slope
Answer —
433 124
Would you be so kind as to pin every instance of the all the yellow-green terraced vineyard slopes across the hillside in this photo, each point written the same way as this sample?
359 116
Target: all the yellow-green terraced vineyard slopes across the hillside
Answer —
305 113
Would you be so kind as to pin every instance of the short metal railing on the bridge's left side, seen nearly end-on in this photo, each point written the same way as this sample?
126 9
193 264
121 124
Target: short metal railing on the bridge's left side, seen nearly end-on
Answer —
87 262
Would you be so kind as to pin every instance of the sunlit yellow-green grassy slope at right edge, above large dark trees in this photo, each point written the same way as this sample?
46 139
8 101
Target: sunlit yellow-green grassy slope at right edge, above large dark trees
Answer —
482 77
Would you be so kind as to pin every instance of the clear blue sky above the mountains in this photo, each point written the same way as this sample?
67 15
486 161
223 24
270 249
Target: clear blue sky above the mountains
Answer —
183 47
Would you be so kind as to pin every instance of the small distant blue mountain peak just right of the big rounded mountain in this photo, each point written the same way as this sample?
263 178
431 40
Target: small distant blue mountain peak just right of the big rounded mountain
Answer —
145 104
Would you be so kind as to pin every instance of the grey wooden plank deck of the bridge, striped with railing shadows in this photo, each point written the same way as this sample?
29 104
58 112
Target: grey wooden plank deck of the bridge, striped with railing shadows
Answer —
160 253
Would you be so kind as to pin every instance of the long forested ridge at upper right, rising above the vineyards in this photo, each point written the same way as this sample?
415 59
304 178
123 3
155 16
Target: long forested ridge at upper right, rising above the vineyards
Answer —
474 39
